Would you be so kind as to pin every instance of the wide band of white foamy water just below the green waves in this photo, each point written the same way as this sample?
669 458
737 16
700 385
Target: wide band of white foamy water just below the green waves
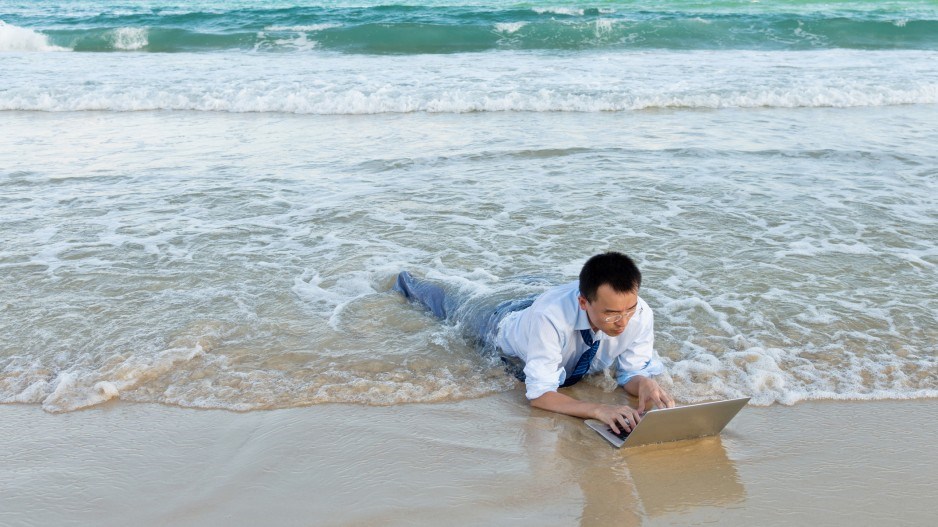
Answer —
333 85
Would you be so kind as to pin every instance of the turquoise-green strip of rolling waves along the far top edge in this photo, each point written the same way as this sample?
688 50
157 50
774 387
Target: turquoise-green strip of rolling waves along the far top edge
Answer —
443 28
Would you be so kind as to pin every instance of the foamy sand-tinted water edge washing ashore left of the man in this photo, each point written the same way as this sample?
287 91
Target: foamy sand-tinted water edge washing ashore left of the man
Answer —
188 377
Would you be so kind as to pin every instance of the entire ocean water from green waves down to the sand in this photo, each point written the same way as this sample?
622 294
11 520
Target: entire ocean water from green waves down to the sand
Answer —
204 204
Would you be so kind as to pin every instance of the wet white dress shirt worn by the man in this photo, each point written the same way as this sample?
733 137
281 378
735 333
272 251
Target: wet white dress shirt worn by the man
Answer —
546 336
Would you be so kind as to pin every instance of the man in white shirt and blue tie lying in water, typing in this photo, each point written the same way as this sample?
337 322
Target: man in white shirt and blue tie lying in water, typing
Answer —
570 331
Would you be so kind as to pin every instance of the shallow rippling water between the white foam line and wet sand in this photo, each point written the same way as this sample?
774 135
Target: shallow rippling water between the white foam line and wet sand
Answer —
244 261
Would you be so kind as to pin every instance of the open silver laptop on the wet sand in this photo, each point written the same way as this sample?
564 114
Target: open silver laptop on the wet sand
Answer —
674 424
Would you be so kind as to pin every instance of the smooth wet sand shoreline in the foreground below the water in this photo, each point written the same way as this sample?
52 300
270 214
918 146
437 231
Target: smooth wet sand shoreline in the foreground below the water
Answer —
486 461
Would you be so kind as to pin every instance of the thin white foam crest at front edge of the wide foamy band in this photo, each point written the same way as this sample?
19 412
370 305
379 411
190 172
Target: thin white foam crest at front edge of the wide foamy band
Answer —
309 100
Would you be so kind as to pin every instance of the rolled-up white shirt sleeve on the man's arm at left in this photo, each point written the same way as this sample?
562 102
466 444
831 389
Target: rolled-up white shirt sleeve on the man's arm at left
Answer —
543 369
